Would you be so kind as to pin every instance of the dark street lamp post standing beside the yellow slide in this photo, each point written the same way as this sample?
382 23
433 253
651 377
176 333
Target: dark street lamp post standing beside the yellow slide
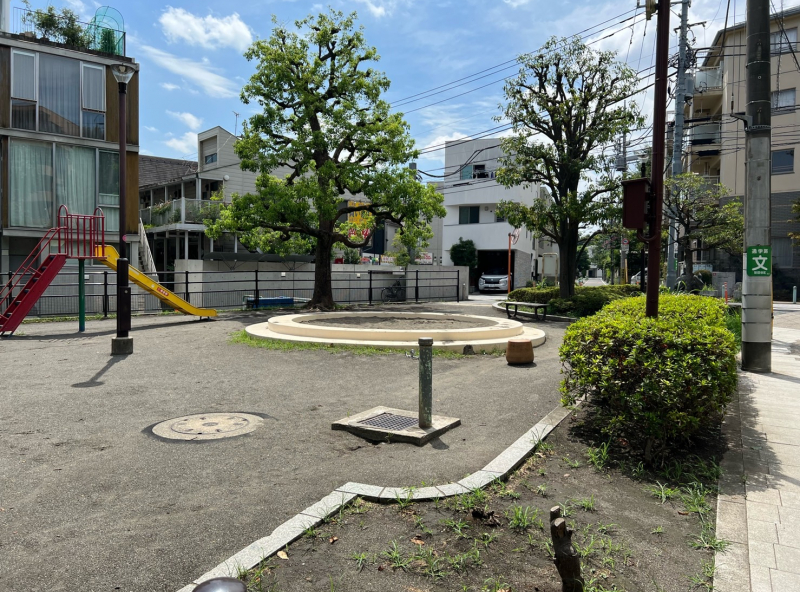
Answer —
122 344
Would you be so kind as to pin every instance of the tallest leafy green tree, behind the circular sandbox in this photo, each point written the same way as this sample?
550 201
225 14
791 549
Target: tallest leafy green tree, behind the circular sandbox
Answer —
325 125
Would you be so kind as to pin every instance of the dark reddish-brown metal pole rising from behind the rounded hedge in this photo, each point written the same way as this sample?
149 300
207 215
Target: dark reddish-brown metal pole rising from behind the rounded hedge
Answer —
657 183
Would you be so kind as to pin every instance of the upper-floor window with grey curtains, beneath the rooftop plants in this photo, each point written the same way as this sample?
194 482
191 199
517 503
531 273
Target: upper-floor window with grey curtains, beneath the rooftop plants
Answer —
57 95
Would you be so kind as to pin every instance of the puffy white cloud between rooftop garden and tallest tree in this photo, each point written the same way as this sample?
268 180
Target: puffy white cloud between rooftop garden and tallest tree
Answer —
209 31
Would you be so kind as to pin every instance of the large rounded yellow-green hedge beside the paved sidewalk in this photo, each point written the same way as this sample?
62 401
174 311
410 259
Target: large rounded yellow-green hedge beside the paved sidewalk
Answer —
657 381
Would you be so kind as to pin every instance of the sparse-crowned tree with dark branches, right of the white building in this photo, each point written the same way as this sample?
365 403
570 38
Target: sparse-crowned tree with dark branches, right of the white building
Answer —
565 104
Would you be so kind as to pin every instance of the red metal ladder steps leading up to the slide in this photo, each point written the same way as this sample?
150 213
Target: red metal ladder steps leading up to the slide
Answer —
20 293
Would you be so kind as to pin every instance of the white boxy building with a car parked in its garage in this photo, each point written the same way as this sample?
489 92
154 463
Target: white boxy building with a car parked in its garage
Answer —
471 196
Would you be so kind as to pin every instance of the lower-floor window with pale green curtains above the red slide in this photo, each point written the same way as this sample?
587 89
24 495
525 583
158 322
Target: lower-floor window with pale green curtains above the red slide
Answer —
44 176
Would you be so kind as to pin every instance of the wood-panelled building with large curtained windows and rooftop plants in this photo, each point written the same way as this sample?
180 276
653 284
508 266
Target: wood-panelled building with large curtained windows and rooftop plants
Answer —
59 129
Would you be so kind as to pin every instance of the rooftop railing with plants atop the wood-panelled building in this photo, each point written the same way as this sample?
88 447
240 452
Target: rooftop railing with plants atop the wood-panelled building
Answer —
50 25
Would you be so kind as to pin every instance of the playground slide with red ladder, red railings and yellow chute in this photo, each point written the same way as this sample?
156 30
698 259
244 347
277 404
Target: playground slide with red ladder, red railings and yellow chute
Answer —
80 237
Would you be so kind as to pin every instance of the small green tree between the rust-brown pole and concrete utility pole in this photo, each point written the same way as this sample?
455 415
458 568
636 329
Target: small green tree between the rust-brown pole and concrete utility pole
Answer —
703 223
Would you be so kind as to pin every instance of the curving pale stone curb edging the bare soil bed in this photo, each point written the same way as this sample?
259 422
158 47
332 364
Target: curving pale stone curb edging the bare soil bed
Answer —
291 530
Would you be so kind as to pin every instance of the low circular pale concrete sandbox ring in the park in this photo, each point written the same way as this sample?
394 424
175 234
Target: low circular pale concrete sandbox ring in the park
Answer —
400 330
